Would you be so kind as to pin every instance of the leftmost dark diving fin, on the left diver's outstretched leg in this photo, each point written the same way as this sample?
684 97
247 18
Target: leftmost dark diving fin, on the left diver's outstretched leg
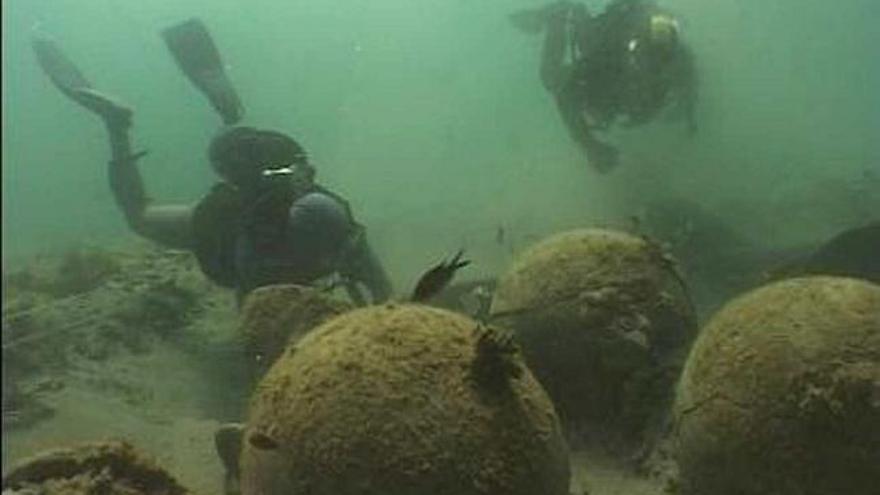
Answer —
73 84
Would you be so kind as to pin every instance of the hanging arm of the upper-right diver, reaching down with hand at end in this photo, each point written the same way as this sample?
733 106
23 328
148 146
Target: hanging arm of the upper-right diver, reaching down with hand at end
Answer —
571 101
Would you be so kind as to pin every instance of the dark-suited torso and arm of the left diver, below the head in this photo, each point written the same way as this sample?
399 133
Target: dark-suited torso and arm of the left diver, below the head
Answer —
298 236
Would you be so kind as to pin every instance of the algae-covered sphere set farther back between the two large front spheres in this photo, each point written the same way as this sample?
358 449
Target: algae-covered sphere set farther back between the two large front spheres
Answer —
604 320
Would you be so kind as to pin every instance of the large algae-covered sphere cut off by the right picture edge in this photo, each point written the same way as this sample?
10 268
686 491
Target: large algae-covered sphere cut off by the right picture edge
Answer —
781 393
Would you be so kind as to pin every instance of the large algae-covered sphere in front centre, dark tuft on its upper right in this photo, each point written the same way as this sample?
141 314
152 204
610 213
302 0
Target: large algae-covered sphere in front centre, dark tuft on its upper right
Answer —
400 400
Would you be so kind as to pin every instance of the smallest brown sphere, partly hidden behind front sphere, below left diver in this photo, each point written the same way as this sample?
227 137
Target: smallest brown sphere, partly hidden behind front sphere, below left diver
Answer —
274 315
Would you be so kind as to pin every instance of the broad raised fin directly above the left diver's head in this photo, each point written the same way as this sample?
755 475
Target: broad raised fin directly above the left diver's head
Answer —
196 54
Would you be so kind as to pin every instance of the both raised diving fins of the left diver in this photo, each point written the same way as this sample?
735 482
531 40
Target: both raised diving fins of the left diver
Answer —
193 50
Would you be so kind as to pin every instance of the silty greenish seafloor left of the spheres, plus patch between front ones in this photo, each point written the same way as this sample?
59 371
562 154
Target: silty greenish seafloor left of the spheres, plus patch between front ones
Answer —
136 345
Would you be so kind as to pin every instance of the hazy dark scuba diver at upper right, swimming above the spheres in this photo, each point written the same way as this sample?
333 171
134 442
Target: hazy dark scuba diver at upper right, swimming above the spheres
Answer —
627 61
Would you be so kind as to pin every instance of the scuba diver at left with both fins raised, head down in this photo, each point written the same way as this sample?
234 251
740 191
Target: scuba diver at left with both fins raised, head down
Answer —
267 221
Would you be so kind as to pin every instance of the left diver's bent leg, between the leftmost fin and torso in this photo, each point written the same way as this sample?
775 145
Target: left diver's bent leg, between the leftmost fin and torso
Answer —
166 224
